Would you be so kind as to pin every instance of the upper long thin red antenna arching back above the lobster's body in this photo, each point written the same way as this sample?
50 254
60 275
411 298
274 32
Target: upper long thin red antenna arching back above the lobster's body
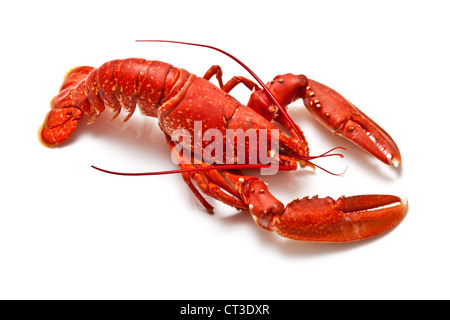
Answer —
282 110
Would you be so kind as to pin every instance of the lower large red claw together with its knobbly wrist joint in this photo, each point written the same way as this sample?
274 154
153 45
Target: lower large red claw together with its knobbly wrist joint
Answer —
324 219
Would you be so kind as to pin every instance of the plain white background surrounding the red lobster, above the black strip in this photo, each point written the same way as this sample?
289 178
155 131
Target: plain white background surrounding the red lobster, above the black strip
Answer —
68 231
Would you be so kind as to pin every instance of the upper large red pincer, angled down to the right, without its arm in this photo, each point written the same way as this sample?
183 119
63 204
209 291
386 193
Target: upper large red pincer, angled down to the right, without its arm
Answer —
343 118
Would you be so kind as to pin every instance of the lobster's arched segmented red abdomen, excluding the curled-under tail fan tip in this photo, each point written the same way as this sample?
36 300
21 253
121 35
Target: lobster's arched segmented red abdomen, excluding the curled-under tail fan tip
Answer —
118 84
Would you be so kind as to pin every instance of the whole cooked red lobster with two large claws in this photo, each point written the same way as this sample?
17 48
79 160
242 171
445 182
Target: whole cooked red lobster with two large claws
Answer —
182 100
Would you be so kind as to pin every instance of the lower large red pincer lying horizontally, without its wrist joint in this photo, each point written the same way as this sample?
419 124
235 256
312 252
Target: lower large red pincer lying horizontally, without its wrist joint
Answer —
342 220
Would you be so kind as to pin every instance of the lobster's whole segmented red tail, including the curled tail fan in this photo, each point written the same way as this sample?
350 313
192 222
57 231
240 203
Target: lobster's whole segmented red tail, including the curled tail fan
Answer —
118 85
